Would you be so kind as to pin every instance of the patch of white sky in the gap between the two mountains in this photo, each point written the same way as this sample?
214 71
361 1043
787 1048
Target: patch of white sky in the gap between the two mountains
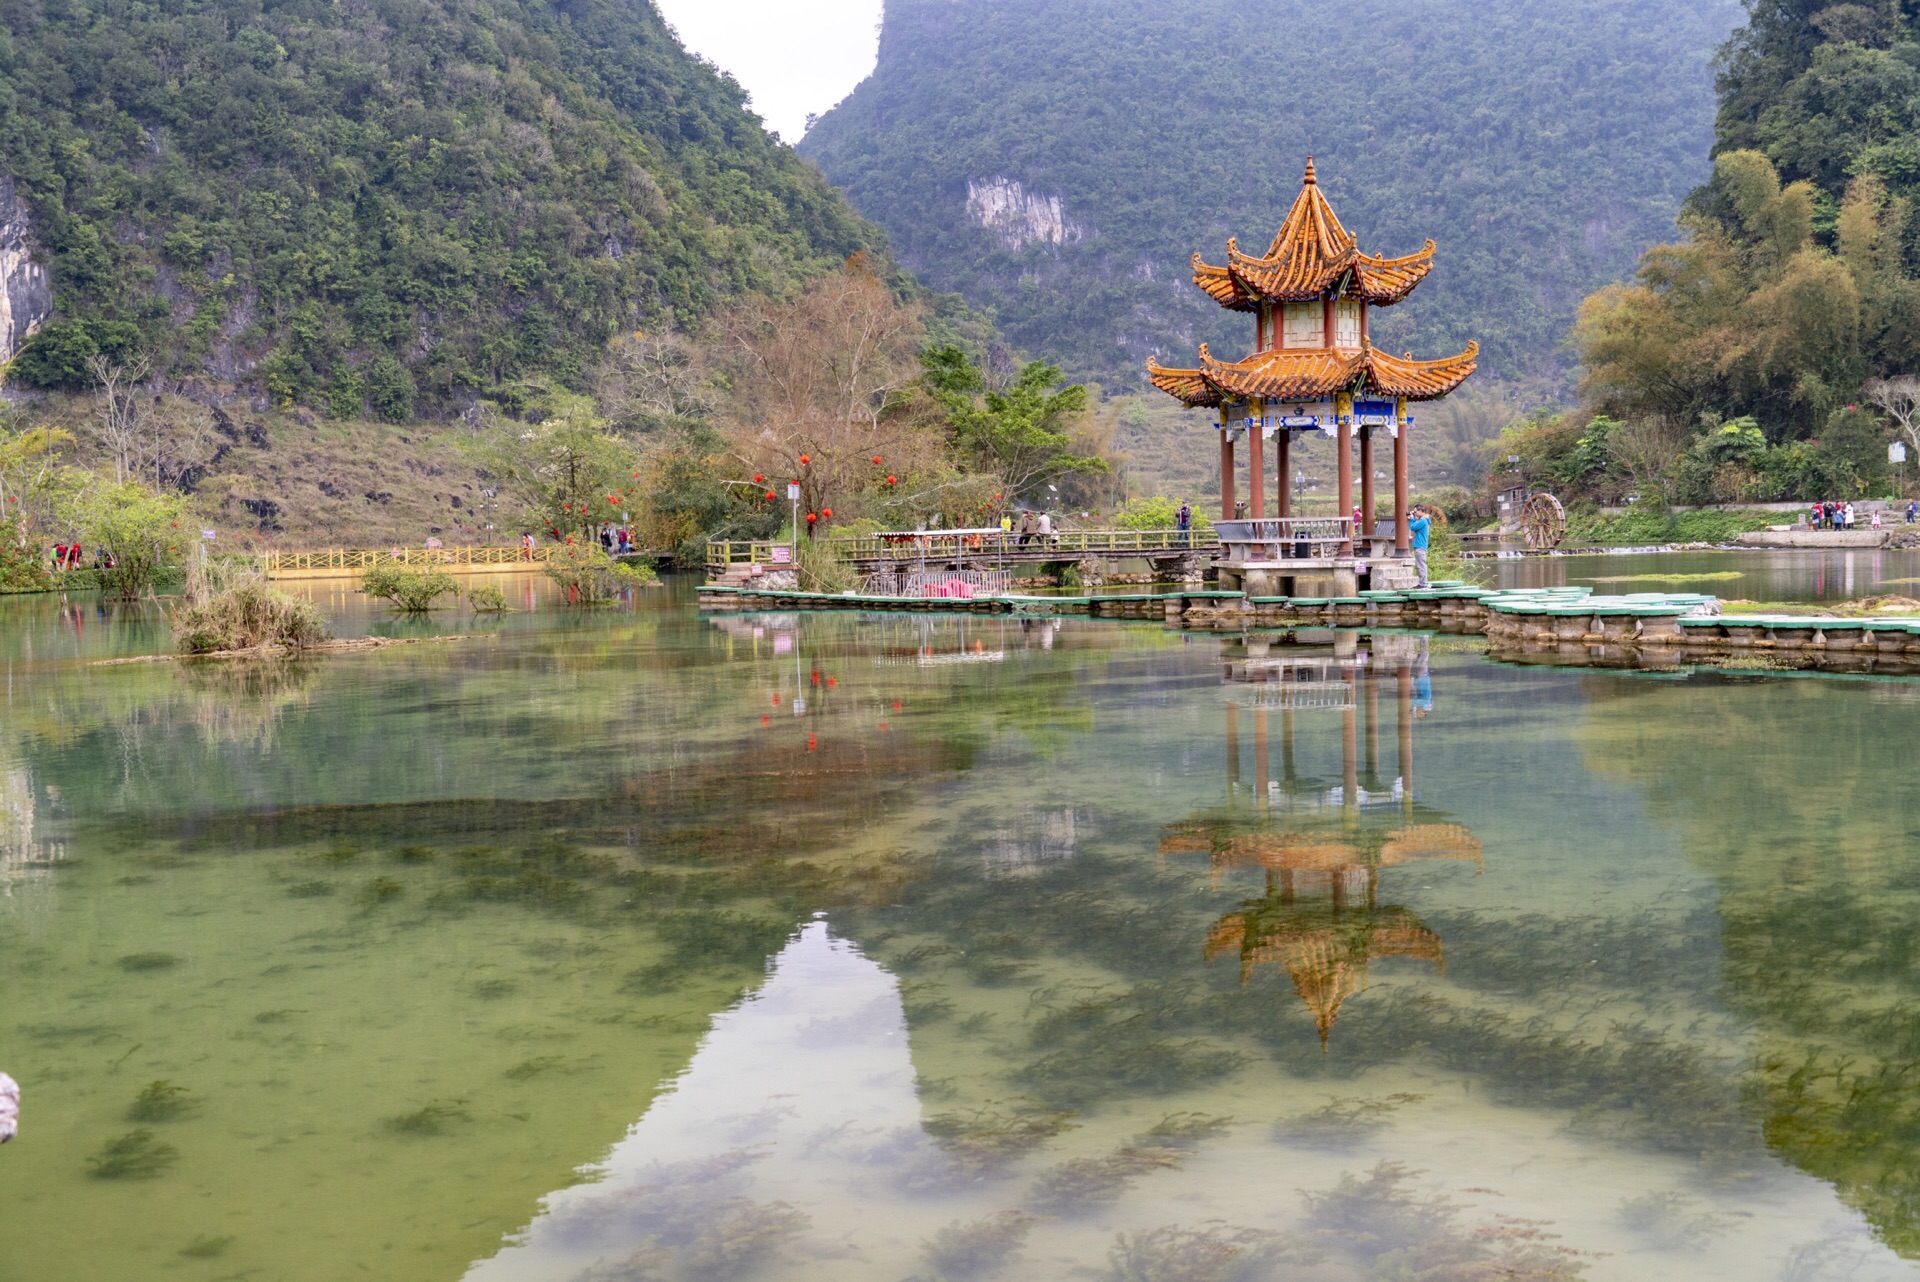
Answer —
794 57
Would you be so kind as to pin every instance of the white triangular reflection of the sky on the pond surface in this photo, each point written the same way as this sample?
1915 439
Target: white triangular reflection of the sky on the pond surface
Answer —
805 1087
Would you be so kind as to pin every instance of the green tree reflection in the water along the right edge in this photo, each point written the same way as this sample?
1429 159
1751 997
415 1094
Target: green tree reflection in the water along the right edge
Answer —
1790 797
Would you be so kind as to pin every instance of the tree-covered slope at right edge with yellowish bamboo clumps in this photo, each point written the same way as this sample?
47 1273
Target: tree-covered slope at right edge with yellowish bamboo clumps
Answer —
1775 348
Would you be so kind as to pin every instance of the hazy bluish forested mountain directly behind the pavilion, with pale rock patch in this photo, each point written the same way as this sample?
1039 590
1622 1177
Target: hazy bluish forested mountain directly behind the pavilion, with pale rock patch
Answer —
1059 160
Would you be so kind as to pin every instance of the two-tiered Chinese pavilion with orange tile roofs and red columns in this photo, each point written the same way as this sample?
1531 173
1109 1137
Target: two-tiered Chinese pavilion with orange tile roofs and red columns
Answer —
1312 369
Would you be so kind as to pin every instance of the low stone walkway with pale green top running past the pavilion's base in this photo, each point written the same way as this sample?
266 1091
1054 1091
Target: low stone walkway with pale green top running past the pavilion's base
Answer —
1533 625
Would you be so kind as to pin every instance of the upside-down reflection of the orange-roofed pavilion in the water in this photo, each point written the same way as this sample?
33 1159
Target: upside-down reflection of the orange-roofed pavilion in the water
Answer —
1324 845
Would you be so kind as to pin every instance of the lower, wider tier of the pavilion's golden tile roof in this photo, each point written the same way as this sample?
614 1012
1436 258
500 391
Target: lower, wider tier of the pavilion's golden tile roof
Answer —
1312 375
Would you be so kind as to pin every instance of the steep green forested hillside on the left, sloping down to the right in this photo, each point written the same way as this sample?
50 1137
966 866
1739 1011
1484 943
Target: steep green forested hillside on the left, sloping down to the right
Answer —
387 204
